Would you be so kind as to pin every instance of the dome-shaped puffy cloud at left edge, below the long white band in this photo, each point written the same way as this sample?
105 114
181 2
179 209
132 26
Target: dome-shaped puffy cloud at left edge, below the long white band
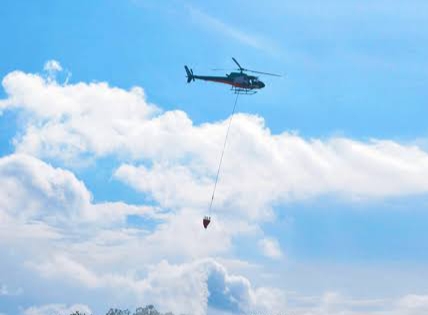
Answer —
51 194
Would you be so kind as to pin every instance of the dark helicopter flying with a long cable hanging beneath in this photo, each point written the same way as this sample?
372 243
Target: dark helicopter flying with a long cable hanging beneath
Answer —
241 82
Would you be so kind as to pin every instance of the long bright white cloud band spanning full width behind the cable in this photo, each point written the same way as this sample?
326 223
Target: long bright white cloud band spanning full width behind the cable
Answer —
174 161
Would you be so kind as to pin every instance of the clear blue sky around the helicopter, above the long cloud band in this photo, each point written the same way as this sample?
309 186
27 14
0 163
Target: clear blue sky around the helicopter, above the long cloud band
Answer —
356 68
